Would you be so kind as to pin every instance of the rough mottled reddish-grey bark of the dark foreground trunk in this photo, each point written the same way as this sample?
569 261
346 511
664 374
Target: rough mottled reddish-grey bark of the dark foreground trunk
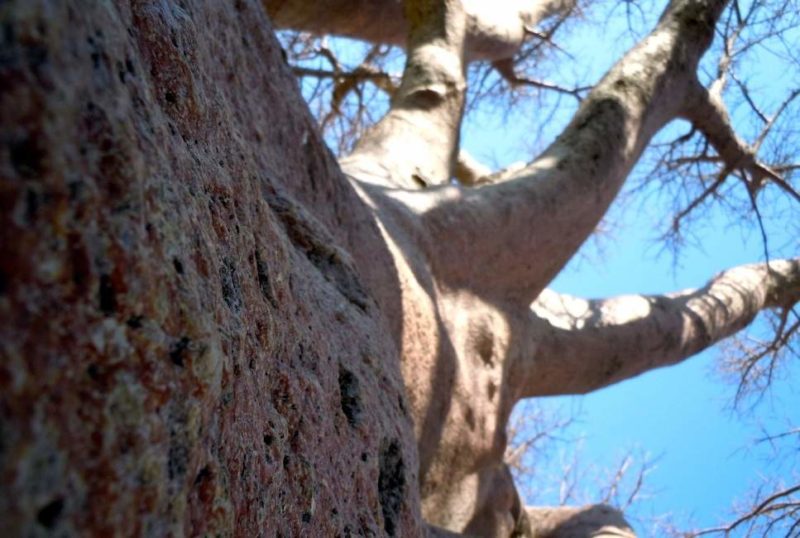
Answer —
186 346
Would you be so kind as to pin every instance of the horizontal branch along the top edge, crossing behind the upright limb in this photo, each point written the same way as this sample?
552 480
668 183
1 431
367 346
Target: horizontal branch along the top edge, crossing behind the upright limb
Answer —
494 29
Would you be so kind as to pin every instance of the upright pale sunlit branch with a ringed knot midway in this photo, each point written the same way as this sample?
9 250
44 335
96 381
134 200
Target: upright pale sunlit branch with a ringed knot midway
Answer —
415 144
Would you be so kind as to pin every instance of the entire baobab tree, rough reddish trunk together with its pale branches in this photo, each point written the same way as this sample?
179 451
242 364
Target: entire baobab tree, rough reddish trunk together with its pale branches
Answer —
211 326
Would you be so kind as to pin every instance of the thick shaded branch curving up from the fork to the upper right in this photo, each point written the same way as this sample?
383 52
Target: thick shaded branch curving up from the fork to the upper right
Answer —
511 239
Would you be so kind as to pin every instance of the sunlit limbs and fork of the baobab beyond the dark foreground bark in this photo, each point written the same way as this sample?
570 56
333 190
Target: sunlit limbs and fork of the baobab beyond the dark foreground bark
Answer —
489 252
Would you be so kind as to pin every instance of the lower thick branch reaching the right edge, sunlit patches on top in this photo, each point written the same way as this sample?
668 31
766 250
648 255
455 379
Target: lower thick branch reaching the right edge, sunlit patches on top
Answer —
583 345
